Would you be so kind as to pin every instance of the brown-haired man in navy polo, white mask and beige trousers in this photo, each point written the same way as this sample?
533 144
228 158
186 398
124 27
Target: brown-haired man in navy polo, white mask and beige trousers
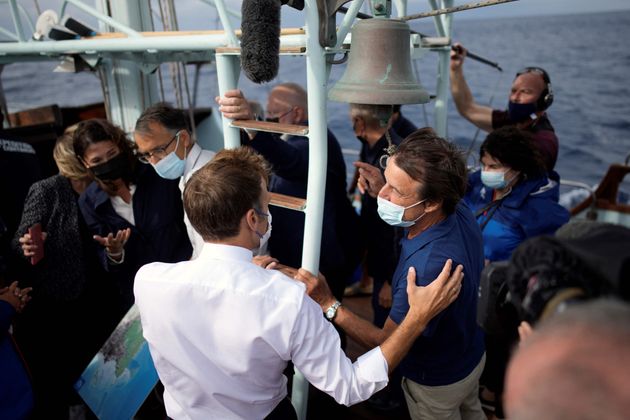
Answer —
425 182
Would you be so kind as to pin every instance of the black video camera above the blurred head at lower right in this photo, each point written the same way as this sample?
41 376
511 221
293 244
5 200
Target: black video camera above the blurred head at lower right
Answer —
548 273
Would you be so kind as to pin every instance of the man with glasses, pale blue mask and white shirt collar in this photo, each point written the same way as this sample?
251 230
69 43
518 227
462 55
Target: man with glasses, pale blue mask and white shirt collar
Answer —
164 140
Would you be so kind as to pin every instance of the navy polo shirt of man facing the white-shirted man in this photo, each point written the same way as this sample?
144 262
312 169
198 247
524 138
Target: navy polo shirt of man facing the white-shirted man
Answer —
452 344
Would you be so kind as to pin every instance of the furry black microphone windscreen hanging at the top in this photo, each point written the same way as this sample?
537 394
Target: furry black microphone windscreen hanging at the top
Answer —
260 39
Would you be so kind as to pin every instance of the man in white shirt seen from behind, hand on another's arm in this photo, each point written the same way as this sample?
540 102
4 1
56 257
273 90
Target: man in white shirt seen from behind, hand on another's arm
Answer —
221 329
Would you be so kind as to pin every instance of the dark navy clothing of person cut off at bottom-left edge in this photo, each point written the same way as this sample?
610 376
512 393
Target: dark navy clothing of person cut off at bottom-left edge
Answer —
16 394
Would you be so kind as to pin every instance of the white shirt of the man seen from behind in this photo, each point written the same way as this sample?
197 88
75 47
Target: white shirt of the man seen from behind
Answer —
221 331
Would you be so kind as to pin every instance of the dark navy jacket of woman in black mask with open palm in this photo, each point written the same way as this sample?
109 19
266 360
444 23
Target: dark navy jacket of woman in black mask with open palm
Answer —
159 234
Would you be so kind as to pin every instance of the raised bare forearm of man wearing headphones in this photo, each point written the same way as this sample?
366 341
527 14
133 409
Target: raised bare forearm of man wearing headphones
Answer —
479 115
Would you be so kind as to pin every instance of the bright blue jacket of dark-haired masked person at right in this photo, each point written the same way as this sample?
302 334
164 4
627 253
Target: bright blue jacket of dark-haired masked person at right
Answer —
530 209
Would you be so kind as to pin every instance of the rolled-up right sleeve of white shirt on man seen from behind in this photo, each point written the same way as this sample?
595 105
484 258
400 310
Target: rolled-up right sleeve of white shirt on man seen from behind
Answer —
316 352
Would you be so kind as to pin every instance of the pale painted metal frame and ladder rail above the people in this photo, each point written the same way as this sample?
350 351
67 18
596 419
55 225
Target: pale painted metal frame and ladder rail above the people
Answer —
136 47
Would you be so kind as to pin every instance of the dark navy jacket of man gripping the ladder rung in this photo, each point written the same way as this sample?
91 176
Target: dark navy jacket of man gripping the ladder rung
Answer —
289 160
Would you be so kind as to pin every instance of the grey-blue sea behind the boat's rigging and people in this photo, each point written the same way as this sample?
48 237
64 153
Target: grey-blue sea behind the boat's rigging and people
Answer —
586 56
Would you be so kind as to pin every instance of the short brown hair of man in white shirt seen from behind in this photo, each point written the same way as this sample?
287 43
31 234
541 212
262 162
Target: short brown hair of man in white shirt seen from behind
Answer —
219 194
